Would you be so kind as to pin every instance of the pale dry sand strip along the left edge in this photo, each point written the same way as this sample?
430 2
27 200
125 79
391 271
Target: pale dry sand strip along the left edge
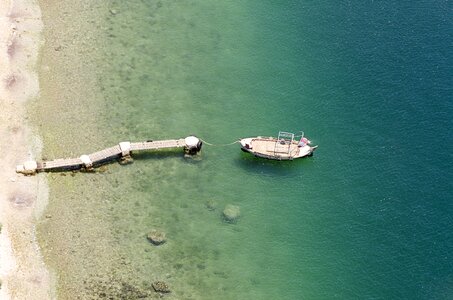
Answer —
22 201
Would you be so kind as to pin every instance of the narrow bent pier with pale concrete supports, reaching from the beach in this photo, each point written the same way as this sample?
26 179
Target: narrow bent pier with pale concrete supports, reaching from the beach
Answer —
123 150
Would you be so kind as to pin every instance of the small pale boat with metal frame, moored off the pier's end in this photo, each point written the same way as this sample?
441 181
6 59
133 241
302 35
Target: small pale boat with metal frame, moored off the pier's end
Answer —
286 146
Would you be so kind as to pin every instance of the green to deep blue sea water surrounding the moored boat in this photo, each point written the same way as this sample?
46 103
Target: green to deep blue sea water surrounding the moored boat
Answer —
369 216
